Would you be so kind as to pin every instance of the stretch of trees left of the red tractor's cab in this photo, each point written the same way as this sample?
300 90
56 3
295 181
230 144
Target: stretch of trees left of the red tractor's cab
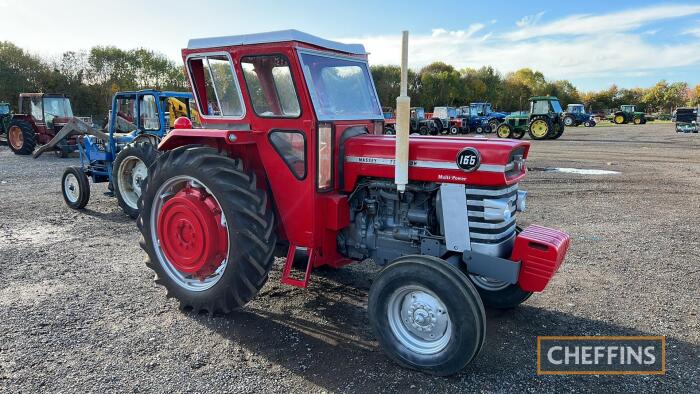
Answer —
90 77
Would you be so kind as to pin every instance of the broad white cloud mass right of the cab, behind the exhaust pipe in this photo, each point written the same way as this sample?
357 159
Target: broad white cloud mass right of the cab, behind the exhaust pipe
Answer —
595 54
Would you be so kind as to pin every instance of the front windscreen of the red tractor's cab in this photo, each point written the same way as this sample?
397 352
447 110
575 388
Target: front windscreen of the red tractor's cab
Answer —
341 89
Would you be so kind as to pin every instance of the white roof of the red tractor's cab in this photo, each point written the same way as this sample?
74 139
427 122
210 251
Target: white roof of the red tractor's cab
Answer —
275 37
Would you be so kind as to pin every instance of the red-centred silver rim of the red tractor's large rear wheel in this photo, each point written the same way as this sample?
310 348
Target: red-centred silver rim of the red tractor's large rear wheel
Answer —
192 232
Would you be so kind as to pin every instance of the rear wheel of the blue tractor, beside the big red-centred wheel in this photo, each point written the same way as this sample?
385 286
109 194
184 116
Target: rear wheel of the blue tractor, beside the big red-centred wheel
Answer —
129 172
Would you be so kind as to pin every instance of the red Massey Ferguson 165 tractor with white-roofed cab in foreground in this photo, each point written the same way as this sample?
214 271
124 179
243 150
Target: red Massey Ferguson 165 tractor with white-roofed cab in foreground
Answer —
292 154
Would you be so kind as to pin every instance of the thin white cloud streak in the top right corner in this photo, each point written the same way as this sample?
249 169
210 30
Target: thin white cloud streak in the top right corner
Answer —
587 24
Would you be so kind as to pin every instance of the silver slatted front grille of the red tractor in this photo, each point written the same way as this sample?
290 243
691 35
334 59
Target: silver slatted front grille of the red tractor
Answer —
489 234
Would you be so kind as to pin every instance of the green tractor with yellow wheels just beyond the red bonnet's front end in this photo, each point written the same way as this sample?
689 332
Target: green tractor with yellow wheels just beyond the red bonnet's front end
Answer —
544 121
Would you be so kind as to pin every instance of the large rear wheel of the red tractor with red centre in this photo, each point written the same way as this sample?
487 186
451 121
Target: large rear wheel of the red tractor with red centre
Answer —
207 228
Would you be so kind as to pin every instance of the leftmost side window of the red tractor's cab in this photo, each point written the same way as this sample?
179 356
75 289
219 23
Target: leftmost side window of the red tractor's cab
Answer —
216 86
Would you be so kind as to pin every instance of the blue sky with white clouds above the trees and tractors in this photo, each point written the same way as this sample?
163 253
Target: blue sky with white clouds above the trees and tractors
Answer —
591 43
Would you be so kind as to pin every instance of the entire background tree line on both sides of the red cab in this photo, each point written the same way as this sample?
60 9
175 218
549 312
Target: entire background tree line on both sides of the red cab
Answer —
92 77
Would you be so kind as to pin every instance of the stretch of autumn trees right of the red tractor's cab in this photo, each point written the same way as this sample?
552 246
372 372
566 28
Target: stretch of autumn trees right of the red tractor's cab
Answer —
440 84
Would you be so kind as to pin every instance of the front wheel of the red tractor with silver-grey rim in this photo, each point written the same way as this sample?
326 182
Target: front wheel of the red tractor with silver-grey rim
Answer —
427 315
